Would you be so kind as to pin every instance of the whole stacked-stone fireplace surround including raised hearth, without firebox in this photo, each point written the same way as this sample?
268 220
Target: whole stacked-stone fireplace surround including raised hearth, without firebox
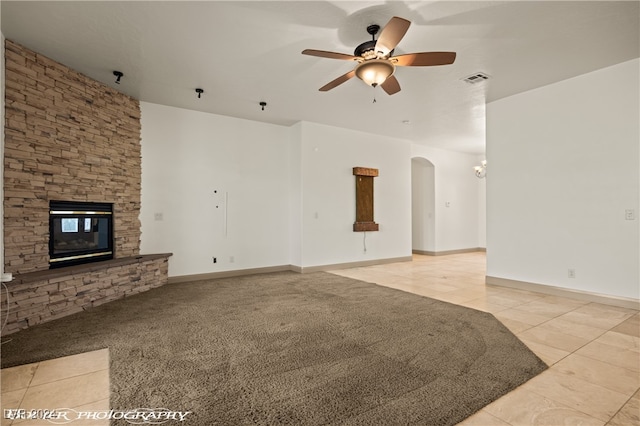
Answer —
68 137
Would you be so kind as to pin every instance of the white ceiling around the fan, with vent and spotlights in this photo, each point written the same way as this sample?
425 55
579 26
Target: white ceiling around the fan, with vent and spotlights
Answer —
244 52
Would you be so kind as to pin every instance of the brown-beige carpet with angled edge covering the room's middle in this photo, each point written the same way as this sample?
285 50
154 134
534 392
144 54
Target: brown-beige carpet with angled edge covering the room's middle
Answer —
287 348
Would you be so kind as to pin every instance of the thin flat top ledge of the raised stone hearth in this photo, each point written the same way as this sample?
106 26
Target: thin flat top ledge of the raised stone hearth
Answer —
48 274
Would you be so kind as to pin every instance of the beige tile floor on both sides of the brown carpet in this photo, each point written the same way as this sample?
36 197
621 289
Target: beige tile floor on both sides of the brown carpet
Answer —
593 351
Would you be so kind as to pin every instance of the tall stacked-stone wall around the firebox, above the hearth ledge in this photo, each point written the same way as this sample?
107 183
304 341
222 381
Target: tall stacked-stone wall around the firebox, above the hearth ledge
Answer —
67 137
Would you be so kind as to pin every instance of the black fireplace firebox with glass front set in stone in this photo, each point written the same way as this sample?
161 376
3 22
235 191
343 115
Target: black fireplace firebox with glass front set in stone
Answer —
79 232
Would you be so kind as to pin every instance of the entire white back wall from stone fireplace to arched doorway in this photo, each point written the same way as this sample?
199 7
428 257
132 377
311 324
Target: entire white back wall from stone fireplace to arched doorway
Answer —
290 193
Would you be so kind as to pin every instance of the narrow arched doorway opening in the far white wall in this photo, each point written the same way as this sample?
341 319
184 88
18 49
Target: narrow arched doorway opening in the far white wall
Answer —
423 205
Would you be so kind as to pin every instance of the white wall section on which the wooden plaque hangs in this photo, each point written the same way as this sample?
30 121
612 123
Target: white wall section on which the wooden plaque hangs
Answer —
328 155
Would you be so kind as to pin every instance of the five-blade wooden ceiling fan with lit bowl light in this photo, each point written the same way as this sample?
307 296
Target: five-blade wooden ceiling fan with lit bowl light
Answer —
376 65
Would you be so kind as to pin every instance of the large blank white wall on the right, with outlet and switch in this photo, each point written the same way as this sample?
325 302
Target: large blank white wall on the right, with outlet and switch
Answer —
563 166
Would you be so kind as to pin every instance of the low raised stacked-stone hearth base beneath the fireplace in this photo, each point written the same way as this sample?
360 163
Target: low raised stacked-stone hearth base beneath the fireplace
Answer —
36 298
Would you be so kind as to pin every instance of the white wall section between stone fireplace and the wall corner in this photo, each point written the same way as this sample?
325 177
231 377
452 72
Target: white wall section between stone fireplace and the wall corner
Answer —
186 156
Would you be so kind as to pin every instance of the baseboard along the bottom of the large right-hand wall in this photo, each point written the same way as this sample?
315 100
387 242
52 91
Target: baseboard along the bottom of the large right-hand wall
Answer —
623 302
